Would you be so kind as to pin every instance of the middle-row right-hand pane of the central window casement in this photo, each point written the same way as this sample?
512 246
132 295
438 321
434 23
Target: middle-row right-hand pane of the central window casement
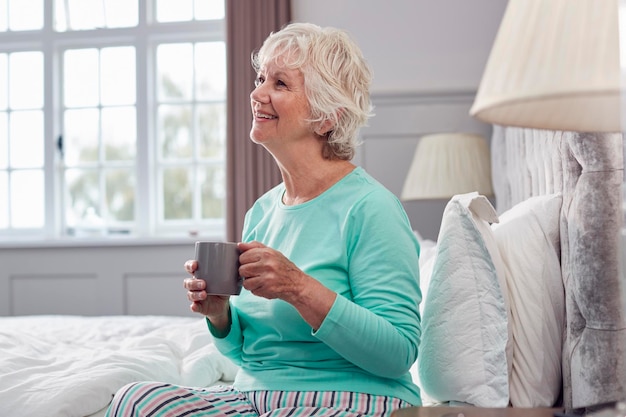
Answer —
119 133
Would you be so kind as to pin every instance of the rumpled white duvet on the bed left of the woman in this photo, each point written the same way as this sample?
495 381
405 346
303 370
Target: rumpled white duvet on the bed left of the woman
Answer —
71 366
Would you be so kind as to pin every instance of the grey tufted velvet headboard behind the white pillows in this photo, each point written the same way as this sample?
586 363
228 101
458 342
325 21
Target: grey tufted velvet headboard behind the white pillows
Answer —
588 169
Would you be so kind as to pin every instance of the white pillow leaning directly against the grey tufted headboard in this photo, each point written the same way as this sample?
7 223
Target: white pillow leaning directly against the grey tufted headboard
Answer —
528 240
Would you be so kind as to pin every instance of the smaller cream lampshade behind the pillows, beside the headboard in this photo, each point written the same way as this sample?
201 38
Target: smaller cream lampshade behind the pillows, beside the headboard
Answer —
447 164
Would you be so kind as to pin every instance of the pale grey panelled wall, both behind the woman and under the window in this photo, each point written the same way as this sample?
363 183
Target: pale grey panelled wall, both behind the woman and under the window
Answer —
427 57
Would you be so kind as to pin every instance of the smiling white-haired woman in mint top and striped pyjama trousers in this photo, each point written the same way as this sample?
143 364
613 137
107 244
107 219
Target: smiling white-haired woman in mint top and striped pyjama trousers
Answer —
327 322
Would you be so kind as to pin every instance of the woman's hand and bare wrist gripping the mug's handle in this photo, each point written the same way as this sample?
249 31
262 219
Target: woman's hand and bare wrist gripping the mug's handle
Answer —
268 273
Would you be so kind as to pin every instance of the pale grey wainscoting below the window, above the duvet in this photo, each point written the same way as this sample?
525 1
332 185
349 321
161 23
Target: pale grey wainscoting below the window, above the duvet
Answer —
95 279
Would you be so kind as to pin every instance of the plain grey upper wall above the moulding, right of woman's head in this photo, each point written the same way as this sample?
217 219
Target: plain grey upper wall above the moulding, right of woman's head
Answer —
415 45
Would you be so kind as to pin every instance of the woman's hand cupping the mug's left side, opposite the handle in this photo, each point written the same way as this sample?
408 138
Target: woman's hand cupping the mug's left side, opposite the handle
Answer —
214 307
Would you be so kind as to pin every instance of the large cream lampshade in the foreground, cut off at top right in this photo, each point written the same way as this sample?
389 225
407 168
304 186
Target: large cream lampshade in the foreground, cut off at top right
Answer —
554 64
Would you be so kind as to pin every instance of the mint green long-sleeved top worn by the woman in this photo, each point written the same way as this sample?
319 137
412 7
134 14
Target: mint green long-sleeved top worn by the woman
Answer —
356 239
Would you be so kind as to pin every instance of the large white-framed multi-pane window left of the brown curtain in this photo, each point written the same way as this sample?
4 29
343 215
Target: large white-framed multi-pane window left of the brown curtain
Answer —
112 118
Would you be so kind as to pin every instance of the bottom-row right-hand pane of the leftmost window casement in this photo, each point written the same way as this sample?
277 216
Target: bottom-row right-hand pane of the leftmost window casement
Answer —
27 199
